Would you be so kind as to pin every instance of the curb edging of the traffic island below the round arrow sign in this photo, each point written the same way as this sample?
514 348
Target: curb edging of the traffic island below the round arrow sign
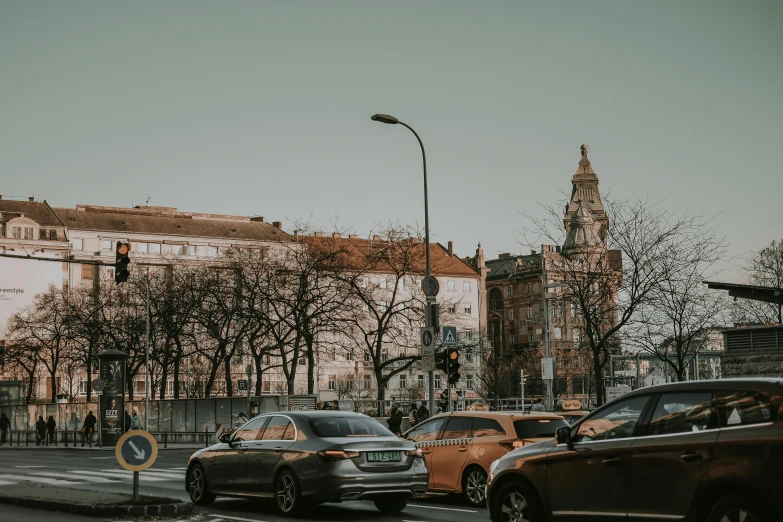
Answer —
169 509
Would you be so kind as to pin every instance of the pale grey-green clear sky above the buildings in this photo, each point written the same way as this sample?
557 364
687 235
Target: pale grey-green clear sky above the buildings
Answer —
263 108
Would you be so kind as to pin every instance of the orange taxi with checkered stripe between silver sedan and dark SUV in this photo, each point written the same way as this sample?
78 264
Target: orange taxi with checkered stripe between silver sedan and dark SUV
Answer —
459 447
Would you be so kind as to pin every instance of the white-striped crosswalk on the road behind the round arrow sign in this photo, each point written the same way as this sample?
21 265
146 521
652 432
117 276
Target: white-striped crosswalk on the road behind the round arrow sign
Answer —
74 477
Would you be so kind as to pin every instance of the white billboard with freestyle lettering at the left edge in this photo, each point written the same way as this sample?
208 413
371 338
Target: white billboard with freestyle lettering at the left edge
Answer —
20 281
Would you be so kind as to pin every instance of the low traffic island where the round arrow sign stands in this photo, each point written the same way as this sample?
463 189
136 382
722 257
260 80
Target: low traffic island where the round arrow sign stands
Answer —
92 503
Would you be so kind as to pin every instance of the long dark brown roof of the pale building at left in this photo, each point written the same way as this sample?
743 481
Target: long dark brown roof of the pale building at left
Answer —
169 223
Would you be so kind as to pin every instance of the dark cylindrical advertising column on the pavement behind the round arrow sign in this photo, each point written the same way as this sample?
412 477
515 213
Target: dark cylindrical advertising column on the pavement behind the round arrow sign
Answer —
112 402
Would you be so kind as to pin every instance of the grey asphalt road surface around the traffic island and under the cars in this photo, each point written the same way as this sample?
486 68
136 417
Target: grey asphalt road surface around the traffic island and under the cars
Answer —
99 471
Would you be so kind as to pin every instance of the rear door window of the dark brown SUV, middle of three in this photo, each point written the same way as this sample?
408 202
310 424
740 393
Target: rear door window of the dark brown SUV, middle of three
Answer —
683 412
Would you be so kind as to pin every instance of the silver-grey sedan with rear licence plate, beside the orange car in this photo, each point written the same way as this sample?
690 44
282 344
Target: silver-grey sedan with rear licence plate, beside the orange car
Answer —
310 457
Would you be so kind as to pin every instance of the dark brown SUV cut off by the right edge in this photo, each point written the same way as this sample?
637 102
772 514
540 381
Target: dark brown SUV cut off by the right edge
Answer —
704 451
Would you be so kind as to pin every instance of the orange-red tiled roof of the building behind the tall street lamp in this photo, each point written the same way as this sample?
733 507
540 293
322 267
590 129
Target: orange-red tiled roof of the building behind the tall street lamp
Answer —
357 249
